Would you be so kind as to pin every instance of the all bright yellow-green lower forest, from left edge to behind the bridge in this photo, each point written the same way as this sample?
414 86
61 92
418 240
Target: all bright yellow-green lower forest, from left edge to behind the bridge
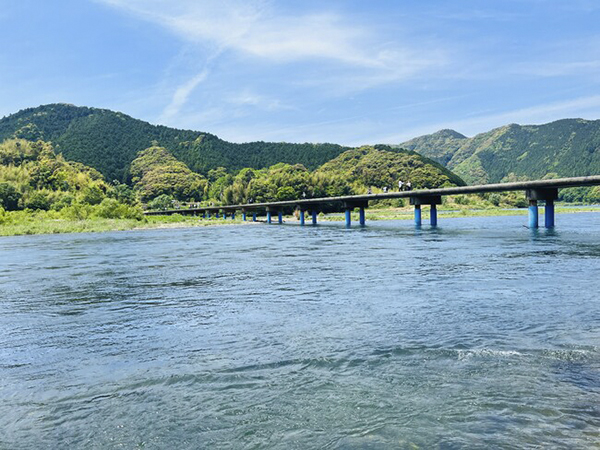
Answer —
34 177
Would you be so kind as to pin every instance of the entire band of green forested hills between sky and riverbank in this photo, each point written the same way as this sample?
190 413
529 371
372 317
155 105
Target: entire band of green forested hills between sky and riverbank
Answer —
92 161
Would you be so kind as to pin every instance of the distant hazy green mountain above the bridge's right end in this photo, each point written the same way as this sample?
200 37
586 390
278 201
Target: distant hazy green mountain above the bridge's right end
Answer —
568 147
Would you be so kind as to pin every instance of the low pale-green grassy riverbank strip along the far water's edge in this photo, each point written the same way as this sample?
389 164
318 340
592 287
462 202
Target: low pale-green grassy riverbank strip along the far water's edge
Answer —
39 224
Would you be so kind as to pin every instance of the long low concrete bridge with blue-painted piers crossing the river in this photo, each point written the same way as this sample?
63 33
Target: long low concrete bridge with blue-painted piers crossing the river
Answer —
535 191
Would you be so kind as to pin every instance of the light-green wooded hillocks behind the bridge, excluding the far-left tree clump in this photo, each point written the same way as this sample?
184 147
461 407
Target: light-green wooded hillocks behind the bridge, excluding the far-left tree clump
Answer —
161 180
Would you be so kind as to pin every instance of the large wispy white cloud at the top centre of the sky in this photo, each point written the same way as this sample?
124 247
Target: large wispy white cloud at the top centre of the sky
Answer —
257 29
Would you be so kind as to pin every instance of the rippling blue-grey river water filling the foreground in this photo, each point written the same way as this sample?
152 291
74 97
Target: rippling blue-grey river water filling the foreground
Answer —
480 334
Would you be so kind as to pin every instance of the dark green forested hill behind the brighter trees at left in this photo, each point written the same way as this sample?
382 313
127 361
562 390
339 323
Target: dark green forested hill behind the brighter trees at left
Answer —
109 141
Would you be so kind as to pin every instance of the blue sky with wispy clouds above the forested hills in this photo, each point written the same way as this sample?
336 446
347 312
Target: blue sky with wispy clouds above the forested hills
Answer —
350 72
